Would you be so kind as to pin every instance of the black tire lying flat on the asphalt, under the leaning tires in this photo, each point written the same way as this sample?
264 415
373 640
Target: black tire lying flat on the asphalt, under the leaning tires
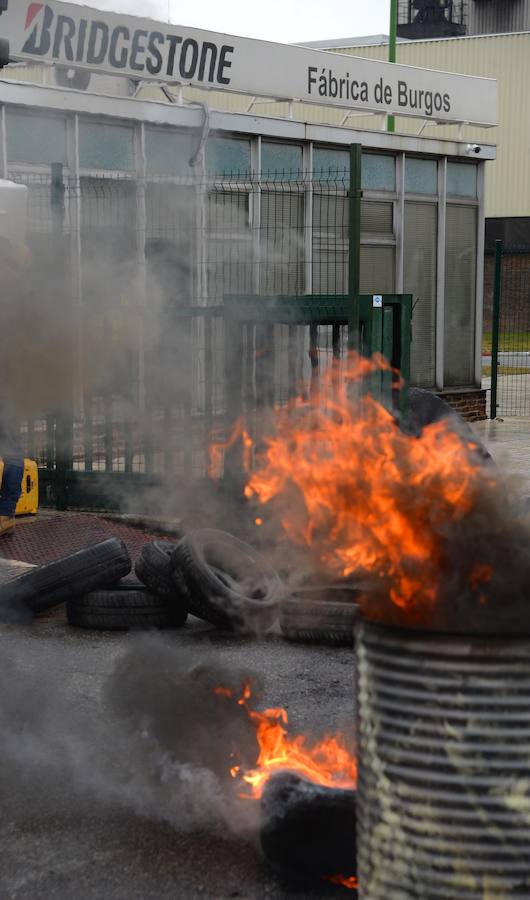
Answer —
127 606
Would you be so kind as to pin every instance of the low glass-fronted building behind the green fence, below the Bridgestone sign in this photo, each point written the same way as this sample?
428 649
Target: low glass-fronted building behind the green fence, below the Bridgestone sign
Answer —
150 203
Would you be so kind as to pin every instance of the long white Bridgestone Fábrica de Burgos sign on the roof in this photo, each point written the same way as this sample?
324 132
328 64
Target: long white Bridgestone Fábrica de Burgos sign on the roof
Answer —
78 36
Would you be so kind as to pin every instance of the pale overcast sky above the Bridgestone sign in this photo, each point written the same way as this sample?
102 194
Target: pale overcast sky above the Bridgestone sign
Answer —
274 20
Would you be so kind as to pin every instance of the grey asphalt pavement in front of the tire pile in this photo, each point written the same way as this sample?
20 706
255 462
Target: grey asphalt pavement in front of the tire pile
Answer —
85 815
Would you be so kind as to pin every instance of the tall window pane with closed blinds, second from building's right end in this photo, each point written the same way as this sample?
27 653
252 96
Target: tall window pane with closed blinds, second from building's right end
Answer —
419 276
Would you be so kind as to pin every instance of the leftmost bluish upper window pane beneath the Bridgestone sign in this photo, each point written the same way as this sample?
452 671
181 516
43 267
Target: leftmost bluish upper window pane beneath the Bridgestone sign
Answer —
34 138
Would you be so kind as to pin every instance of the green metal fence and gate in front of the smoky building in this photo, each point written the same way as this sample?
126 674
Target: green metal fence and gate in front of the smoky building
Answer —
166 308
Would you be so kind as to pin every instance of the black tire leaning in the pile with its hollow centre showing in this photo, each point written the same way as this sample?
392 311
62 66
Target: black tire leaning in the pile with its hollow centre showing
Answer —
229 583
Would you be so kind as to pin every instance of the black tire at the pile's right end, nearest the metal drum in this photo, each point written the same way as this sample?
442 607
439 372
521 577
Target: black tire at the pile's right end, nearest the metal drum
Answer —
324 615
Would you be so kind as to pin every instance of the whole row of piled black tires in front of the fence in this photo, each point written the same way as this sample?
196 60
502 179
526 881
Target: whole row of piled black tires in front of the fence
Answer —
209 573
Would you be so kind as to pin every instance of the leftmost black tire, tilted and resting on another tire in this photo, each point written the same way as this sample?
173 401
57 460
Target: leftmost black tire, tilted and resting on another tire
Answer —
54 583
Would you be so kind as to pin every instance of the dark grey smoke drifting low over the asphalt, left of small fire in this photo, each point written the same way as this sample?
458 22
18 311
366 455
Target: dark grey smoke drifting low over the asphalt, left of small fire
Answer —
157 741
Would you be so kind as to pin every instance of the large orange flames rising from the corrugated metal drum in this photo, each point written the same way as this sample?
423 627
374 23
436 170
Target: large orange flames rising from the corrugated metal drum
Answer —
373 499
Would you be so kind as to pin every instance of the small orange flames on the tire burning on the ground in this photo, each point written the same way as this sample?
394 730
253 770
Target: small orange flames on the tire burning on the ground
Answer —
327 762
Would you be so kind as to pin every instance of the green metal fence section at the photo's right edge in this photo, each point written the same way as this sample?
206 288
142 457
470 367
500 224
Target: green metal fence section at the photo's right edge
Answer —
506 351
